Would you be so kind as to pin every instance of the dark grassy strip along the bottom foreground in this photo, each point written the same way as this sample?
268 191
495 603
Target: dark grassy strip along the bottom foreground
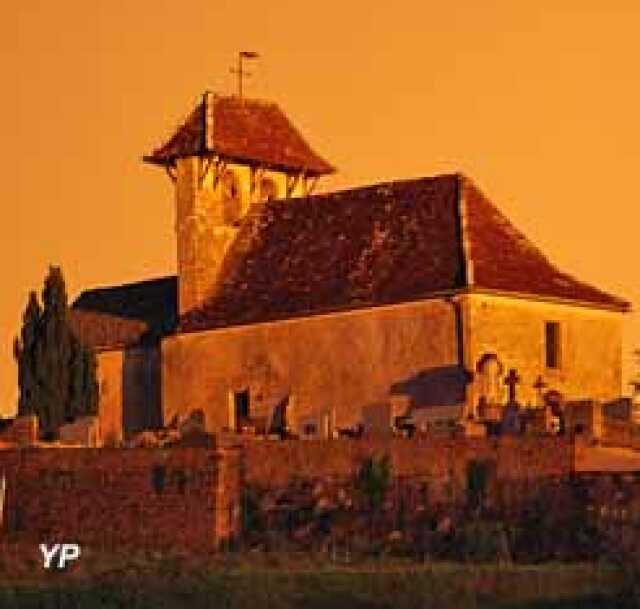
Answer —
285 583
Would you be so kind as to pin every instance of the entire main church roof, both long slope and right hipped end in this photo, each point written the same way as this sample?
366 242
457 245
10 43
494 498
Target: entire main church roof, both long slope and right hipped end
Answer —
381 244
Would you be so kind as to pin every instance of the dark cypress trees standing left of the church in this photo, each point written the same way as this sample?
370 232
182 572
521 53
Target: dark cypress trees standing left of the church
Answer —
56 373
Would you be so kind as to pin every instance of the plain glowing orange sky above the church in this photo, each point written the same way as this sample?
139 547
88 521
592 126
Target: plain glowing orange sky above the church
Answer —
539 104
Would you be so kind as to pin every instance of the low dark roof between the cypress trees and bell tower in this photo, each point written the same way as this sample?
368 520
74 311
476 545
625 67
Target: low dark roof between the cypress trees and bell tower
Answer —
125 314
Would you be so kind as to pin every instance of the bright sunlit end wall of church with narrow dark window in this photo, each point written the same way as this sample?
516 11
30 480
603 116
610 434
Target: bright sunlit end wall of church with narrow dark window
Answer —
514 330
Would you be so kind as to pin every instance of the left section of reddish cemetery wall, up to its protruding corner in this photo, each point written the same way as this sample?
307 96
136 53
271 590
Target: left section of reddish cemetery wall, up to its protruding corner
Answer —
183 499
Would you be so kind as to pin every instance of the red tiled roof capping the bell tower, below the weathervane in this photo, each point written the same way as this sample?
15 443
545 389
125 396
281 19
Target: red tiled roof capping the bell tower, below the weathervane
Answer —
244 130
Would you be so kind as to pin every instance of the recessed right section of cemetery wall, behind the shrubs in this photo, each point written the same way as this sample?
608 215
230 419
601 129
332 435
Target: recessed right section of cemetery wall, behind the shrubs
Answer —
427 473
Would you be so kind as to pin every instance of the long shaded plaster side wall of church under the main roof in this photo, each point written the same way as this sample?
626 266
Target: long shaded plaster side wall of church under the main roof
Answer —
328 366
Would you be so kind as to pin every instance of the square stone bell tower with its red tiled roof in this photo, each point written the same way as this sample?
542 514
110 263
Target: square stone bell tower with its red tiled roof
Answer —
230 154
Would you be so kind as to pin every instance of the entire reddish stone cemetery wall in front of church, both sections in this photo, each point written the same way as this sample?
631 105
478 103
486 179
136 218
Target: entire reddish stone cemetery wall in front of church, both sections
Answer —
190 499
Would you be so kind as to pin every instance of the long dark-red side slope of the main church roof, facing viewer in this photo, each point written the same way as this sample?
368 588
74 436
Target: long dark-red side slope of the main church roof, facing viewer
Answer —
362 247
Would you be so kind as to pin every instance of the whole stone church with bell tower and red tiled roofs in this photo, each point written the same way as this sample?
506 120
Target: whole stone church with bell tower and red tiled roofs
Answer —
314 314
